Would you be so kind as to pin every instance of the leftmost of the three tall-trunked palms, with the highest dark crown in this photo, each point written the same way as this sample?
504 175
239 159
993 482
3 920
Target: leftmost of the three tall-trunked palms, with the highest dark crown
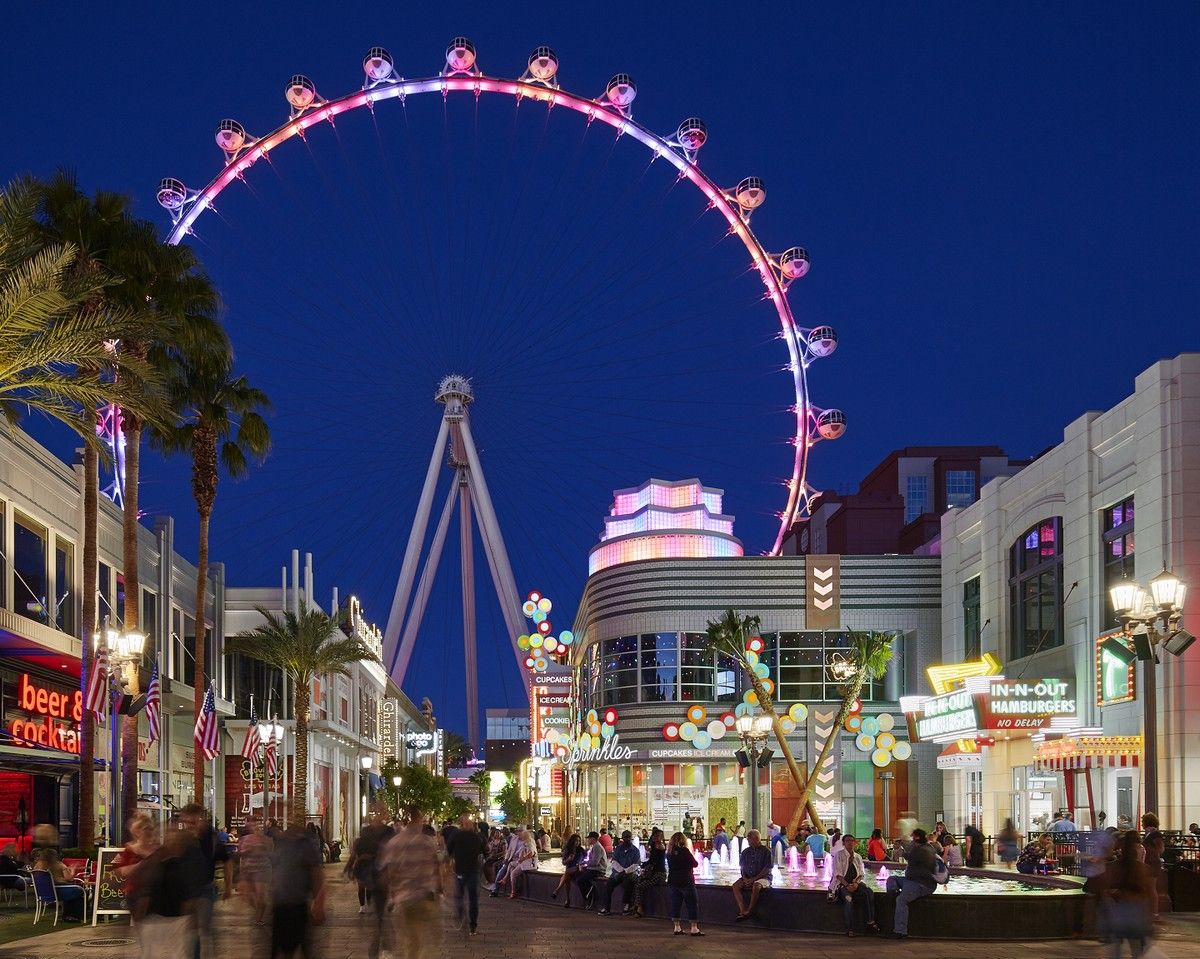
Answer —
68 215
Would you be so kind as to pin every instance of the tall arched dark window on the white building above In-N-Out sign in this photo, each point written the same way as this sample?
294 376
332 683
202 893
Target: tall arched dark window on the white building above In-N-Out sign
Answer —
1035 590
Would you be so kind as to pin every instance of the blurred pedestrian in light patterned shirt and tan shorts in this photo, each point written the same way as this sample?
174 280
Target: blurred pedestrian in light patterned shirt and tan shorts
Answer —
415 886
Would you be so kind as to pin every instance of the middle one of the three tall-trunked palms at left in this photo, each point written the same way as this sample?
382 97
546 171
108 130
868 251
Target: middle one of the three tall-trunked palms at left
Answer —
169 281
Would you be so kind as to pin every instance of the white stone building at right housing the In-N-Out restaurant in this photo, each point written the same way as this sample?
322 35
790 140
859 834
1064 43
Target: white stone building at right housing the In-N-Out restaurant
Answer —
1025 577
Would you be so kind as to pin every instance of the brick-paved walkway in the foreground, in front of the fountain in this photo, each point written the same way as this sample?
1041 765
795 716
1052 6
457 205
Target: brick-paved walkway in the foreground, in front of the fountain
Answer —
527 931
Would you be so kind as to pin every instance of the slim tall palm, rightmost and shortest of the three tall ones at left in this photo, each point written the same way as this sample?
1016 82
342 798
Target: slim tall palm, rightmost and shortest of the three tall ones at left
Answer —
221 427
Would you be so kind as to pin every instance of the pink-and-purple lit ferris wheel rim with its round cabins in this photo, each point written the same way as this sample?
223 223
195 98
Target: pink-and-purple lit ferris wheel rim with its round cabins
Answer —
461 74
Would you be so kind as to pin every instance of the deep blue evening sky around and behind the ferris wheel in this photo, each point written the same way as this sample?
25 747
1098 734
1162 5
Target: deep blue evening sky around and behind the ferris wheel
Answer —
1001 206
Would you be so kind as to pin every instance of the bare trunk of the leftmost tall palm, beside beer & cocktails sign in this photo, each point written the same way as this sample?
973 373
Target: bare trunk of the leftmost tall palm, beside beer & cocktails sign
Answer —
88 722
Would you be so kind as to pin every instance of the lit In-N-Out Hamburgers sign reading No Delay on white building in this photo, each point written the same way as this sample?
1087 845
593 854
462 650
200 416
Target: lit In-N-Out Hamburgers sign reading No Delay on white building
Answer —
993 704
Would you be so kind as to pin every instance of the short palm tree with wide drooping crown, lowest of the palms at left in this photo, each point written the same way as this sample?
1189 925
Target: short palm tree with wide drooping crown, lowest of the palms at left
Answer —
304 646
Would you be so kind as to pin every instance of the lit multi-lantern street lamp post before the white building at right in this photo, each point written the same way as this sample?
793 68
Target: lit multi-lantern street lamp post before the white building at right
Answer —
1150 620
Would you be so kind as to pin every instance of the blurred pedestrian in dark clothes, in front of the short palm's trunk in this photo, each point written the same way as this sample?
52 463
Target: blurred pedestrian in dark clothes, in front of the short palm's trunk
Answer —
298 892
